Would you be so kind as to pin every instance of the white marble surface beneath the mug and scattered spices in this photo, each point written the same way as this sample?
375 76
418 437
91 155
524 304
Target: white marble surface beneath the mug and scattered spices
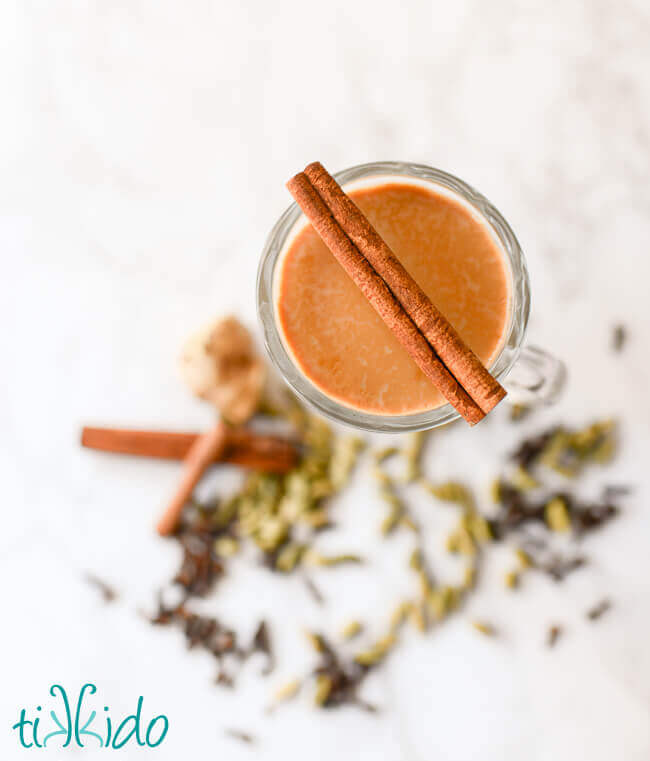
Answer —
143 151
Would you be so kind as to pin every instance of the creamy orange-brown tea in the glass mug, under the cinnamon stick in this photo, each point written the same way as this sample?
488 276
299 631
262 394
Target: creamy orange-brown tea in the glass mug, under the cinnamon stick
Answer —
337 339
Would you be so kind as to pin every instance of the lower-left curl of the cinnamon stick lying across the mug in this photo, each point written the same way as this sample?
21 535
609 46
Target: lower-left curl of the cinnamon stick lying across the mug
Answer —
380 297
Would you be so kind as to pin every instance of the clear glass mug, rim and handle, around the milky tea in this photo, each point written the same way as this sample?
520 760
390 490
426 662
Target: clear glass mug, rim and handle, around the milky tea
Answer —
527 372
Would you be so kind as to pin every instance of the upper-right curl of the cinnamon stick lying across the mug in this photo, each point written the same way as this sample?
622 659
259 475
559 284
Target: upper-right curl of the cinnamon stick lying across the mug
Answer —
459 359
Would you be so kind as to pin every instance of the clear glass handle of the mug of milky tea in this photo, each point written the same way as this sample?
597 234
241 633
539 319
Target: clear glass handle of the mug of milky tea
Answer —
536 378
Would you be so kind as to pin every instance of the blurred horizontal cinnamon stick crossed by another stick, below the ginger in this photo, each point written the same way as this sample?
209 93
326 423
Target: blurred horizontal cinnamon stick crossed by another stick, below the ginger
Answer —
271 454
